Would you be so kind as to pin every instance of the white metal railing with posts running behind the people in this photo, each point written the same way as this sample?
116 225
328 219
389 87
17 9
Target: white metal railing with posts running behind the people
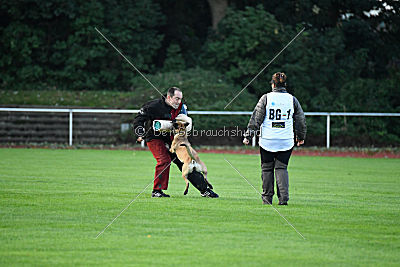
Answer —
133 111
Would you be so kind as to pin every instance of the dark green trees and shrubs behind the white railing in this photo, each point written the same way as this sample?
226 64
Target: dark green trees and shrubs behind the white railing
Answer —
346 59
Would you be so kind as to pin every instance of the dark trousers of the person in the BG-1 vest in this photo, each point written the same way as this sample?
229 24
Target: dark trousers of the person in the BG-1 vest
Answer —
275 162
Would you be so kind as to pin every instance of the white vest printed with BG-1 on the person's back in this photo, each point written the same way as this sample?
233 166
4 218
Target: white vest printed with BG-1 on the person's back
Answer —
278 122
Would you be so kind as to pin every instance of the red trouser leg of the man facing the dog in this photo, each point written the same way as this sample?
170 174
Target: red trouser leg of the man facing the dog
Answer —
162 155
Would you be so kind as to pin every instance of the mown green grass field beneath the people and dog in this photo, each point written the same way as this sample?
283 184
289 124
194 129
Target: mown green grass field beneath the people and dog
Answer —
53 203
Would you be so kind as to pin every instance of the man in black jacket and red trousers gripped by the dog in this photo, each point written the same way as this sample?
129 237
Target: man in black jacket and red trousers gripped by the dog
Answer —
166 108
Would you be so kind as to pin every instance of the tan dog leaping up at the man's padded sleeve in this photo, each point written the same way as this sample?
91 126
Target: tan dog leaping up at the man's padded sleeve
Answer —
186 154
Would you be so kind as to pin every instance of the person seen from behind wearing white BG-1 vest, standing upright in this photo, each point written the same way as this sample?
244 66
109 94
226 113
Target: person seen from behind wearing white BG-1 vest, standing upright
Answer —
282 122
